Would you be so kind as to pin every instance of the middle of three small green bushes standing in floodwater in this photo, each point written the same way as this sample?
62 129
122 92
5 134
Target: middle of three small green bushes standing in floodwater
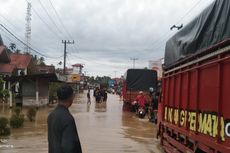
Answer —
17 119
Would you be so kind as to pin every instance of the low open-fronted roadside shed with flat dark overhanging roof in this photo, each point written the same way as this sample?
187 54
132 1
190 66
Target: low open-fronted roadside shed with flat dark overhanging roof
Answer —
33 89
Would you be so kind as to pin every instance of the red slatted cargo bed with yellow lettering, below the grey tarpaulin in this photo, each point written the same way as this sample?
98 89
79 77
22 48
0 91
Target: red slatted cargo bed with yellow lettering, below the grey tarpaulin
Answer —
194 112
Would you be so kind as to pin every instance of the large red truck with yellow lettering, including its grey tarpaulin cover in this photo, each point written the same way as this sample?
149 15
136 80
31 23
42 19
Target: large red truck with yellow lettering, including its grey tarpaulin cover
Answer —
194 106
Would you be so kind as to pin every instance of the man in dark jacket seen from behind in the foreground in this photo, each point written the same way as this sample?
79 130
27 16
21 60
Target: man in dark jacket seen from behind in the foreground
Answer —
62 131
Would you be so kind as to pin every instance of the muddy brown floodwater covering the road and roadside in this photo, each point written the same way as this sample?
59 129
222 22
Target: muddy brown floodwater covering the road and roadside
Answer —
102 128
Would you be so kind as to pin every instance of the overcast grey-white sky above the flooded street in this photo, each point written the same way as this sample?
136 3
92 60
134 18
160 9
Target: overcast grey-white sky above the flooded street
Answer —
107 33
